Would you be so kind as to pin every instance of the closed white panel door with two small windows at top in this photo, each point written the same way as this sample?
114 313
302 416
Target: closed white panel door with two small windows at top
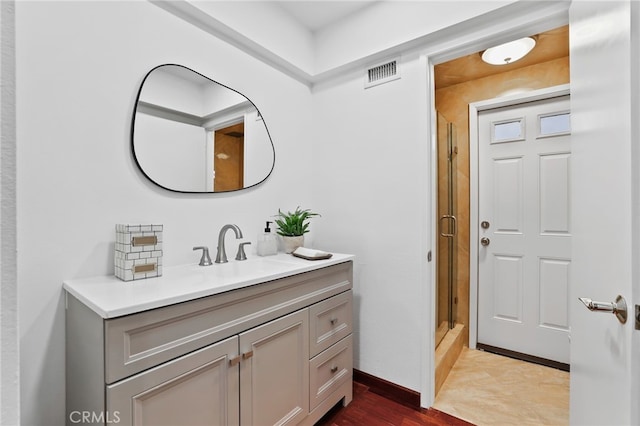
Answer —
524 247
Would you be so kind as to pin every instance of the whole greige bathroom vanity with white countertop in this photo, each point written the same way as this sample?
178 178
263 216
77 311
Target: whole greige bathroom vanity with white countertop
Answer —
259 342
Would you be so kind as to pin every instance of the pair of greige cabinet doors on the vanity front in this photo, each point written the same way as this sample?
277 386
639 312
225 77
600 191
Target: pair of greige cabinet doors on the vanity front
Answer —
269 375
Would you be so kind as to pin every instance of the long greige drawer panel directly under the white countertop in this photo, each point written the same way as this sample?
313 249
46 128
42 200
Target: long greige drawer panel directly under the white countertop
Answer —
136 342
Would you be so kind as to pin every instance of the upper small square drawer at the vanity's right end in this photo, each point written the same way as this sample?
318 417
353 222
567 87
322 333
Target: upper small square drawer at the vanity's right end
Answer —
330 321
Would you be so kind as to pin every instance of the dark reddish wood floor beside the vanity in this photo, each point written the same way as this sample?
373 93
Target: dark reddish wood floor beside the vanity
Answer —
370 409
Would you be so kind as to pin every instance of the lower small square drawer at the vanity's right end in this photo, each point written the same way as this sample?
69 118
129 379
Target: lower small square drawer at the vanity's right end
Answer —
329 370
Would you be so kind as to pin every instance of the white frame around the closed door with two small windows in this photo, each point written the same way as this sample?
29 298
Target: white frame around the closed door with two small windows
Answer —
474 109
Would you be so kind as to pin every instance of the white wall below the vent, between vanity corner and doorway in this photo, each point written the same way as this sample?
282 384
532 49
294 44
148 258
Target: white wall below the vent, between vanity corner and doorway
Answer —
369 154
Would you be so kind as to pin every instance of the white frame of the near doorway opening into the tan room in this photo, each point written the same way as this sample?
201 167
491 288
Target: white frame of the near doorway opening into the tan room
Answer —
502 29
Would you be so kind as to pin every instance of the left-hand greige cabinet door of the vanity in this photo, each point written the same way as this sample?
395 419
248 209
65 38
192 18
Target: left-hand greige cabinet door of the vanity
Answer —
201 388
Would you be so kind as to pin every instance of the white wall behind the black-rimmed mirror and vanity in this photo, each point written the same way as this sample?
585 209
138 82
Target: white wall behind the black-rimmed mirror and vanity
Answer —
79 66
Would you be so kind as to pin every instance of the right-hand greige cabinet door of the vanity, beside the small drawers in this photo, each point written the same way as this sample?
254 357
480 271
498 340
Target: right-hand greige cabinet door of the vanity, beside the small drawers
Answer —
274 372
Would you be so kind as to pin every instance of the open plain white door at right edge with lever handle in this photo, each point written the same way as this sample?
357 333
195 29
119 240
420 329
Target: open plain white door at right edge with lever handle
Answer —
605 354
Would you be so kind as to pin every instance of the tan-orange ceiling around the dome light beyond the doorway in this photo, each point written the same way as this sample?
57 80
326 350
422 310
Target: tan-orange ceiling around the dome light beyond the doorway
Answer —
550 45
